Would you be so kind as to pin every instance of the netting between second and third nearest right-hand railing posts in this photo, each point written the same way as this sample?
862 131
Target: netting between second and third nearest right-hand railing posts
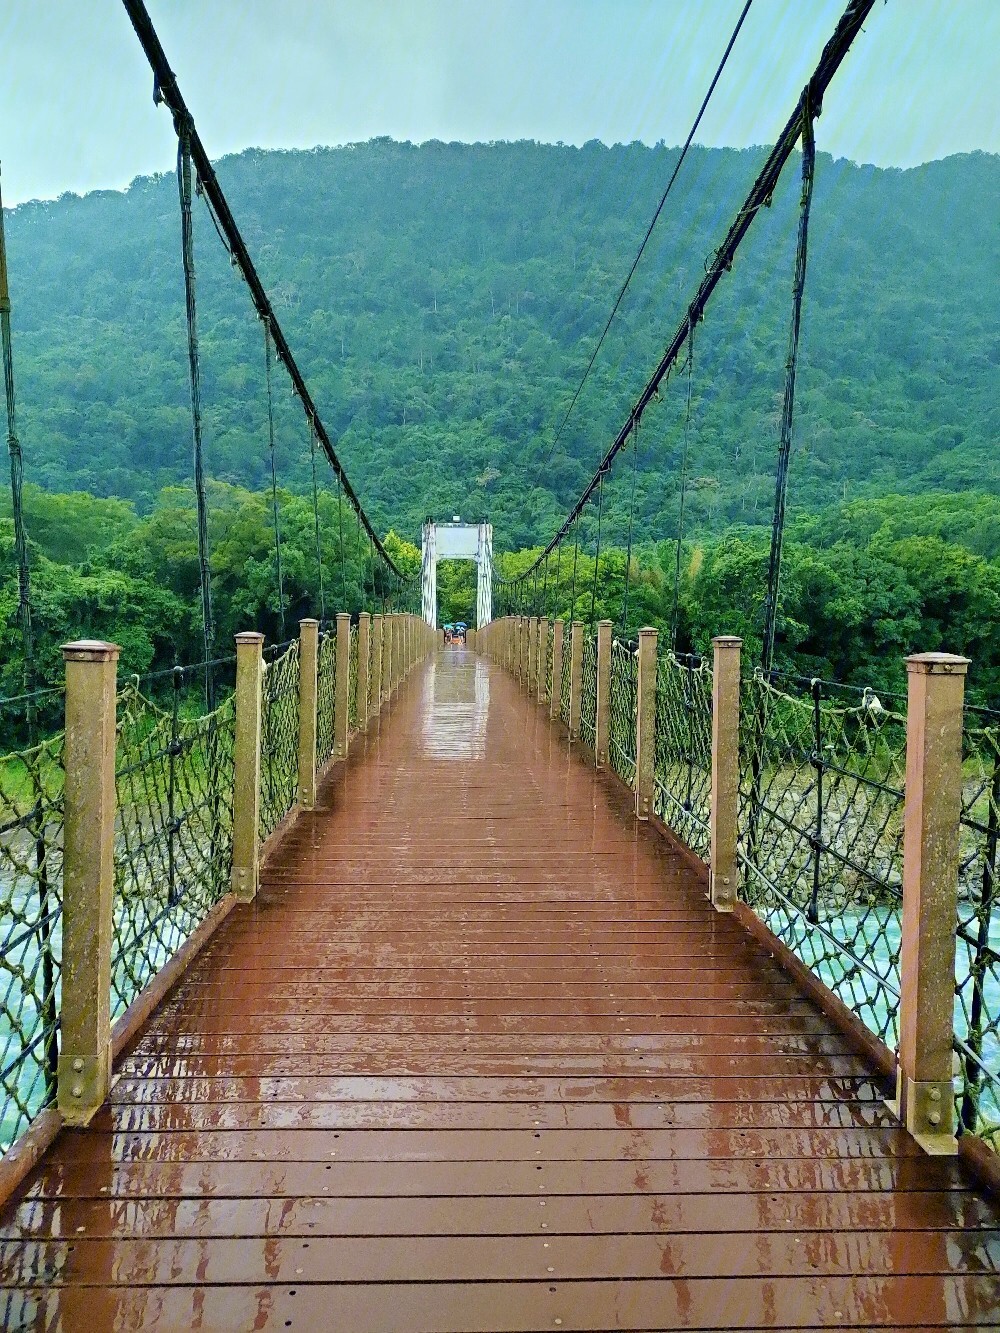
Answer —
683 760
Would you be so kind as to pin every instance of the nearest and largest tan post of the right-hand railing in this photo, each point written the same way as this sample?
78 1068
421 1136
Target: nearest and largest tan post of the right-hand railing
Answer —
935 698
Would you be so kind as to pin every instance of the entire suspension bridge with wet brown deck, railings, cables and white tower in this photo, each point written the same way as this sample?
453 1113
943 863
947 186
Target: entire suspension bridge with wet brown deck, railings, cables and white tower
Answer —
555 980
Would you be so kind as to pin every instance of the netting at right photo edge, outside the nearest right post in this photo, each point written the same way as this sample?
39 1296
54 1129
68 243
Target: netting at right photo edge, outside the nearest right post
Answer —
978 958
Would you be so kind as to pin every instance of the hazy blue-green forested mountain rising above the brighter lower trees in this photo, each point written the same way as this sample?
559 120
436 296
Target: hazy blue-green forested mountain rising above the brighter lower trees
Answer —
443 302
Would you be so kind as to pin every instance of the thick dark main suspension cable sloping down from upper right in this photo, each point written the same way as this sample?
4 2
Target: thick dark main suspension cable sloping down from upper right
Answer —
810 103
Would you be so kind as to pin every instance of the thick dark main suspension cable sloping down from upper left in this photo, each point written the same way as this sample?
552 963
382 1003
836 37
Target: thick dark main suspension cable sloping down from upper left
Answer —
167 91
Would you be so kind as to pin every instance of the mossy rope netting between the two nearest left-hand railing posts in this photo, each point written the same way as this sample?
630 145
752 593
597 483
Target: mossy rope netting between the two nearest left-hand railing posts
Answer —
174 782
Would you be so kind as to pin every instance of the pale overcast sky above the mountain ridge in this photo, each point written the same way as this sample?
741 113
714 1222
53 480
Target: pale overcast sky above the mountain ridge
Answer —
77 111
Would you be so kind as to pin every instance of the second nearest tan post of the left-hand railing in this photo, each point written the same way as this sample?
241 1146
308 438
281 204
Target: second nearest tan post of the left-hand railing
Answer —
246 796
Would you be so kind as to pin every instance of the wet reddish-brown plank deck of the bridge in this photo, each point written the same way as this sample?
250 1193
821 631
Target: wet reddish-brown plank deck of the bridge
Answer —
483 1058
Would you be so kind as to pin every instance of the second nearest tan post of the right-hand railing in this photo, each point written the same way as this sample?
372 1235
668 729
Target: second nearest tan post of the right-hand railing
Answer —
726 772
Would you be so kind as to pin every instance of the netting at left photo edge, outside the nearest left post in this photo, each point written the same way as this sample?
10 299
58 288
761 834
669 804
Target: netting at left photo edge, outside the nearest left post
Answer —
31 903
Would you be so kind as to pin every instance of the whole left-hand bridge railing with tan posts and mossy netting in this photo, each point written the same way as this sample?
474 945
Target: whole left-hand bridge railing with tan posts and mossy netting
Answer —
119 842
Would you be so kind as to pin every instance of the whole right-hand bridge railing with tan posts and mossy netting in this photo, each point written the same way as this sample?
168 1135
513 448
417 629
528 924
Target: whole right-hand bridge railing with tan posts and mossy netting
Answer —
859 831
